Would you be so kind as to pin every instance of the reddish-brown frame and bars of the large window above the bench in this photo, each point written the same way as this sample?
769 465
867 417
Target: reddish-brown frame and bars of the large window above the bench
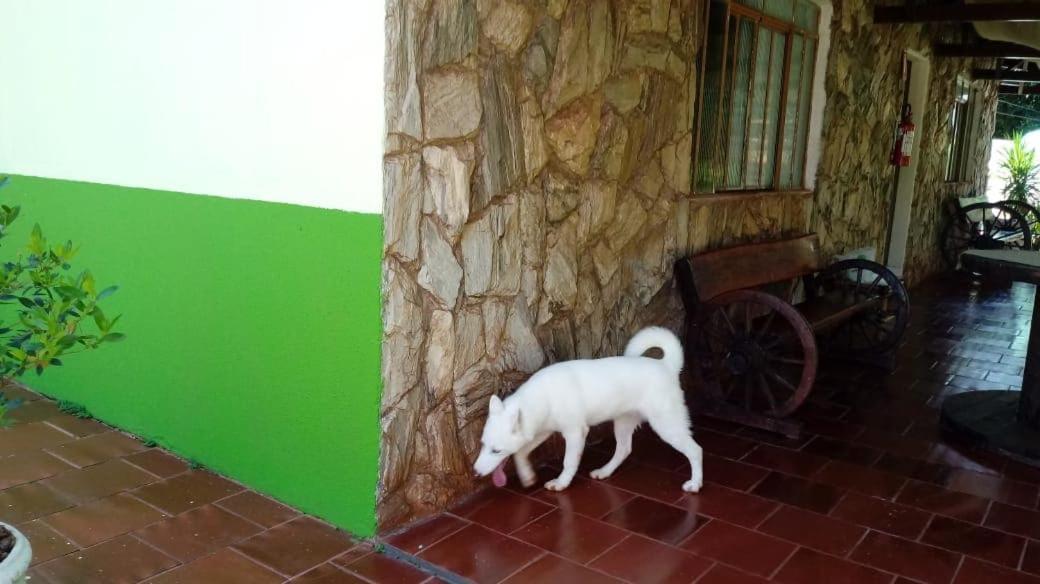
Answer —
733 13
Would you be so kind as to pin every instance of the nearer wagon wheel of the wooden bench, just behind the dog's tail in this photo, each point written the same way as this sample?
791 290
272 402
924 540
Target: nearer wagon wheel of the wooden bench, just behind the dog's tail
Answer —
758 353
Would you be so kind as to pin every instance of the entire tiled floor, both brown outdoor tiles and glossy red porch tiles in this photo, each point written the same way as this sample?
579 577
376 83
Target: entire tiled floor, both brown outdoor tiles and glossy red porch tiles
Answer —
872 493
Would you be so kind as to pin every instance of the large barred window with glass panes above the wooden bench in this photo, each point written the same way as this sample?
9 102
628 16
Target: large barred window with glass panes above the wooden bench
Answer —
758 66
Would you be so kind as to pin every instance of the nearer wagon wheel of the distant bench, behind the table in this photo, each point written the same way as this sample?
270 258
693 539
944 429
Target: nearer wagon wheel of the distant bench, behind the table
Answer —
984 226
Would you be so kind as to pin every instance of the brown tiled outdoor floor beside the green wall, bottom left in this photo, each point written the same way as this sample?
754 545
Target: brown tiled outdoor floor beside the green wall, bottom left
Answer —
100 508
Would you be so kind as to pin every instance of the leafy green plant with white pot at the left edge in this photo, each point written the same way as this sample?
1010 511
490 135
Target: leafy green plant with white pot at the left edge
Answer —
47 312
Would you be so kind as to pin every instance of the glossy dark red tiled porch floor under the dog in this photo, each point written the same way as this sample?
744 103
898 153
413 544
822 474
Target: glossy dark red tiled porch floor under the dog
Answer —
872 493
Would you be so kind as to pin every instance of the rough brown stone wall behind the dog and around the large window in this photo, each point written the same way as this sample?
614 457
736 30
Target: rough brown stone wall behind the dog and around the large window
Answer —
538 177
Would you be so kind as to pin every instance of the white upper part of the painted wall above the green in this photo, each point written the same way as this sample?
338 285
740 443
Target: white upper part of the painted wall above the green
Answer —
270 100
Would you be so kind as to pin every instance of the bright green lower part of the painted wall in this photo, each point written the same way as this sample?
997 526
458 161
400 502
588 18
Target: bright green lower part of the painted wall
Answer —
253 334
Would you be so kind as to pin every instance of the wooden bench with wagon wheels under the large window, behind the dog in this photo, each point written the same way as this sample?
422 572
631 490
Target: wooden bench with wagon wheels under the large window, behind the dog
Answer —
755 353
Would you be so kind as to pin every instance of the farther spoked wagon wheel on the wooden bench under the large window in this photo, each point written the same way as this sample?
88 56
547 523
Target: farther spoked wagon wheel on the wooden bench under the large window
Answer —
880 325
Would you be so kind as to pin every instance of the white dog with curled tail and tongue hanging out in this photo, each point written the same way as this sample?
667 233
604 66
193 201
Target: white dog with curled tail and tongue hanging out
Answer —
571 396
